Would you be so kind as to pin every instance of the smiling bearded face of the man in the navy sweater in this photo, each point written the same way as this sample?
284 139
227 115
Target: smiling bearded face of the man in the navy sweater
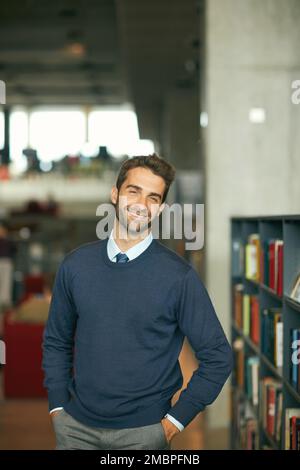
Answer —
139 200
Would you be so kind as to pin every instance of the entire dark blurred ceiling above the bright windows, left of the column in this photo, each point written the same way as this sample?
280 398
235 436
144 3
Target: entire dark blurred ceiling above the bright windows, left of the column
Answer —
99 52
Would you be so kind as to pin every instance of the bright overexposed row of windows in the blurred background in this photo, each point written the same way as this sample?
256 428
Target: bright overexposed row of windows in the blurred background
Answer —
58 131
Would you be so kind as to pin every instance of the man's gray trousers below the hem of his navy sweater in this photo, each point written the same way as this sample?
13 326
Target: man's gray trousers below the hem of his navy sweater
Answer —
71 434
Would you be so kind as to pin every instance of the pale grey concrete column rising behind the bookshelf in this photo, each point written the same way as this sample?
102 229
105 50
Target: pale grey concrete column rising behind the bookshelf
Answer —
252 57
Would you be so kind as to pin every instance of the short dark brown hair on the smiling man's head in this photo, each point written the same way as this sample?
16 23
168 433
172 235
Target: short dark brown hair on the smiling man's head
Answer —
156 164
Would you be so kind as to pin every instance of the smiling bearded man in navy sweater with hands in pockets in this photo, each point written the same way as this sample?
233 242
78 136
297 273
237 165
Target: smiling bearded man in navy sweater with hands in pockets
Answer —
120 310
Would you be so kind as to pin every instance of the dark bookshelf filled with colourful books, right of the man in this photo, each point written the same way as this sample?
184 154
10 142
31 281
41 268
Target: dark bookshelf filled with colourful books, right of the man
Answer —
265 312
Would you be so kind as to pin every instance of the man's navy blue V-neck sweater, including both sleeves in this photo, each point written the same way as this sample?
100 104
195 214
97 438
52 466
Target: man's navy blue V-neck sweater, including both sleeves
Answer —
114 334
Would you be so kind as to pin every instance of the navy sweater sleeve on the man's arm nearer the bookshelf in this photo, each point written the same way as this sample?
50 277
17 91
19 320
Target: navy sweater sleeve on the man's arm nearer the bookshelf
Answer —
198 321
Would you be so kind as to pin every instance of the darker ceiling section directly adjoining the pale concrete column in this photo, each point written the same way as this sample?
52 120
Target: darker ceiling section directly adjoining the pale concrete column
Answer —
161 51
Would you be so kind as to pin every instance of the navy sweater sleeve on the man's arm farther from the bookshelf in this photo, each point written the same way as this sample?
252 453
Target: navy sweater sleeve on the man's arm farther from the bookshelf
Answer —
58 340
